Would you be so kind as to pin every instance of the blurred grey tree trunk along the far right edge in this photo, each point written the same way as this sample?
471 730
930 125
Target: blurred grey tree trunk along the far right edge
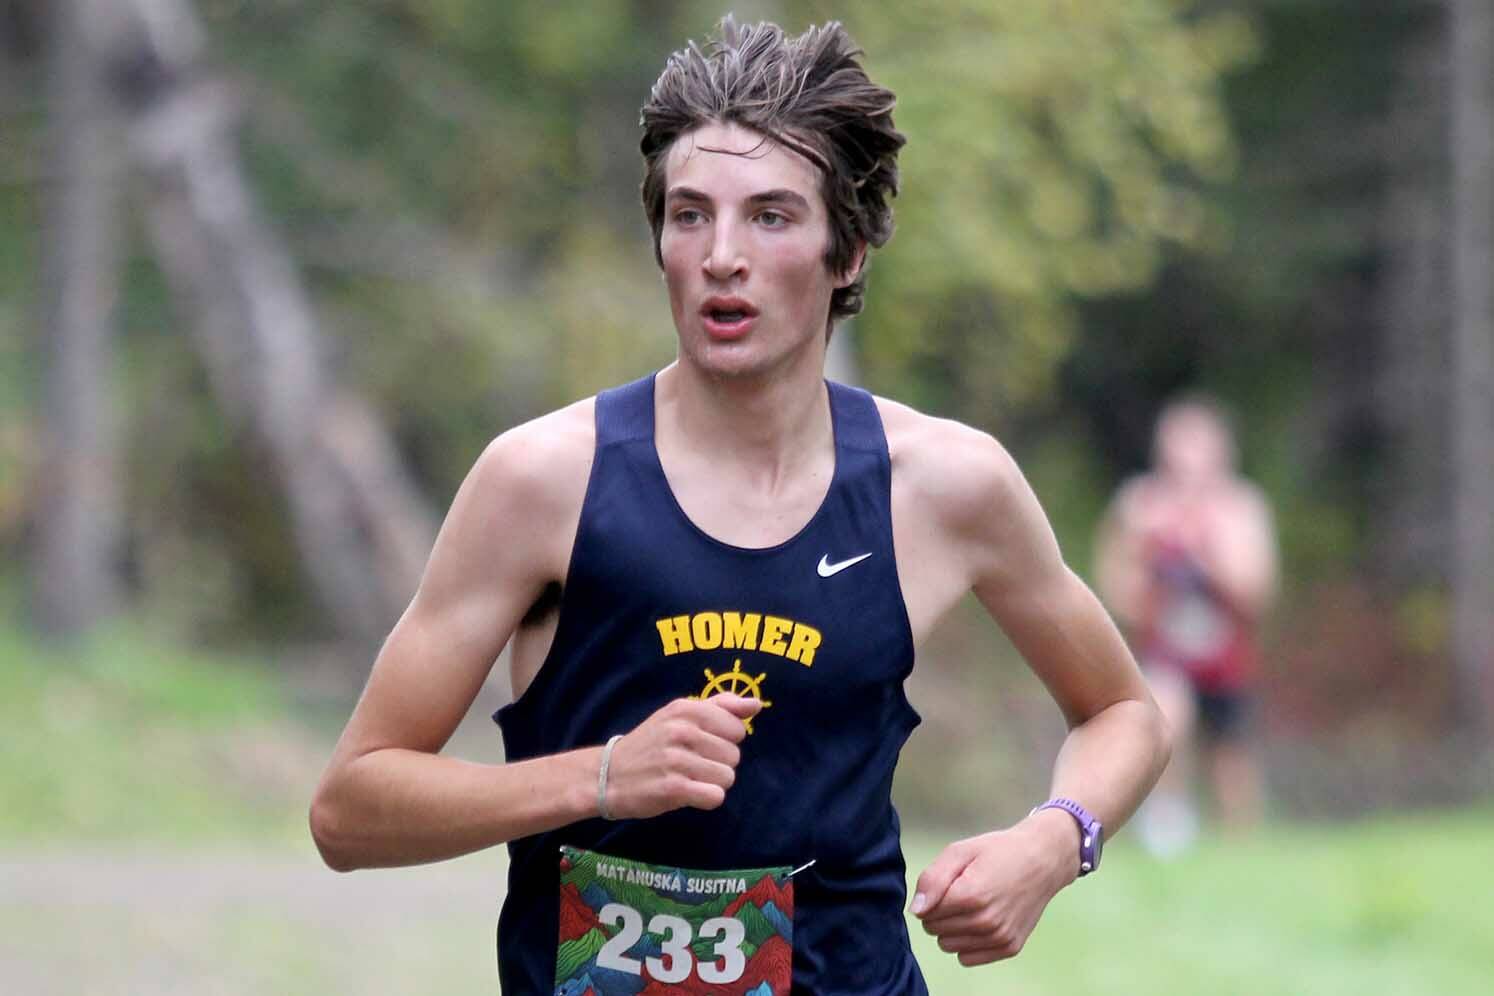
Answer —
1472 396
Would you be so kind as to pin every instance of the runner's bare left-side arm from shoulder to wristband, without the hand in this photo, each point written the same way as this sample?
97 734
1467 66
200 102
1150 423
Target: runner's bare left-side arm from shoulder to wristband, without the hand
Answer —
388 797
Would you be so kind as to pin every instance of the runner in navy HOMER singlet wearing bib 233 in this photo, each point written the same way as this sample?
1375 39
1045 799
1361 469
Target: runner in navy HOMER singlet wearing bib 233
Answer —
712 583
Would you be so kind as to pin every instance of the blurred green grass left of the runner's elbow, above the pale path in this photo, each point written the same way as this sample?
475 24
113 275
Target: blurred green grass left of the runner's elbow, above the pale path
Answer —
129 738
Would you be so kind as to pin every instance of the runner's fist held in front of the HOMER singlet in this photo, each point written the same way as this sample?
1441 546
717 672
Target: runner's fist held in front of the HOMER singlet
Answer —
685 755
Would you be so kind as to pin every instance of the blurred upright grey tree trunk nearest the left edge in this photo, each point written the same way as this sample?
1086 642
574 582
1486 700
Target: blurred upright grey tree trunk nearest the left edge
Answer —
78 511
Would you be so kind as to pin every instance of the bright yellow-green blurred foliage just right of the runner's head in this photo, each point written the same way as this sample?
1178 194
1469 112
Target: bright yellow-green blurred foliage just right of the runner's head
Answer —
1056 150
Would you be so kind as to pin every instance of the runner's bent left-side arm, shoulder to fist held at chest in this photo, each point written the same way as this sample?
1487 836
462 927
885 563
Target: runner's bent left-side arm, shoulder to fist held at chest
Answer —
389 797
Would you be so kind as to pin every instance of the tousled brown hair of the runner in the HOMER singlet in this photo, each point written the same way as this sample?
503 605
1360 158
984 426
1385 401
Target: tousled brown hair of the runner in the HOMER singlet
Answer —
808 93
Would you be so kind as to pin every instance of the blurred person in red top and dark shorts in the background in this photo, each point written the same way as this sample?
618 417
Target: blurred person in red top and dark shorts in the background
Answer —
1187 559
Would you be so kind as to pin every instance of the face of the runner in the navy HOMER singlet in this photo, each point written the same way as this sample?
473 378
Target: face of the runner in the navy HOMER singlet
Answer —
743 244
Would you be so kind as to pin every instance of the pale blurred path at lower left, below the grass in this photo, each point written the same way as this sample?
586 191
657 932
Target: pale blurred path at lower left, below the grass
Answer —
241 922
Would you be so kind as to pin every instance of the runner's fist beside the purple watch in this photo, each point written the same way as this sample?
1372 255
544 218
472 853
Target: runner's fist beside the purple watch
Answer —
982 897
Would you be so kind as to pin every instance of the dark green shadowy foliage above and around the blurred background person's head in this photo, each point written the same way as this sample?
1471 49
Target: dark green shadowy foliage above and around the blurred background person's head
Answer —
1286 320
